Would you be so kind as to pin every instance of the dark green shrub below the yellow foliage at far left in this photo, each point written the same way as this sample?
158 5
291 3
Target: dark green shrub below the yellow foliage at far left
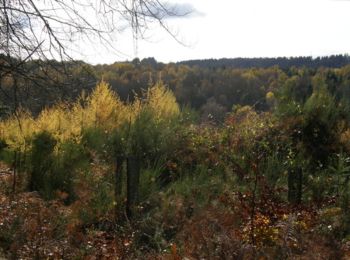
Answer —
52 166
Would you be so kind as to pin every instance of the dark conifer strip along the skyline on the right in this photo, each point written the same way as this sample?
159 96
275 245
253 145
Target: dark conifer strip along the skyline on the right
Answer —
334 61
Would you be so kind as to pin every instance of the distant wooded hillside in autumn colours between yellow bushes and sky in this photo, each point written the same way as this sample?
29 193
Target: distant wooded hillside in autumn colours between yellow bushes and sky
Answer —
209 86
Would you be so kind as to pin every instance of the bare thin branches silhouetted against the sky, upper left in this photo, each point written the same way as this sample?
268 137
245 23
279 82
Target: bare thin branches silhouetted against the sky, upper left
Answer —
58 23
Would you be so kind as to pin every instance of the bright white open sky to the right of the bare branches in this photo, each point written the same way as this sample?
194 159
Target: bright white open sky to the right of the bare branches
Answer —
239 28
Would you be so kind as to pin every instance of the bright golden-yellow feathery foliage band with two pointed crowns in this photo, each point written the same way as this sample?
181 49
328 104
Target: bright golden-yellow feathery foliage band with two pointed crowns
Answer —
102 109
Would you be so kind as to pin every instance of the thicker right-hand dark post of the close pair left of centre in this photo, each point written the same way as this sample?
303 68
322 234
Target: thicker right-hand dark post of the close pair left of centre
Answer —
133 176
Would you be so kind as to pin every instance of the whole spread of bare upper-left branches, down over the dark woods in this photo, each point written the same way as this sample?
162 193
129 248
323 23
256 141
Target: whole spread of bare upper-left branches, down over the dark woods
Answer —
39 32
